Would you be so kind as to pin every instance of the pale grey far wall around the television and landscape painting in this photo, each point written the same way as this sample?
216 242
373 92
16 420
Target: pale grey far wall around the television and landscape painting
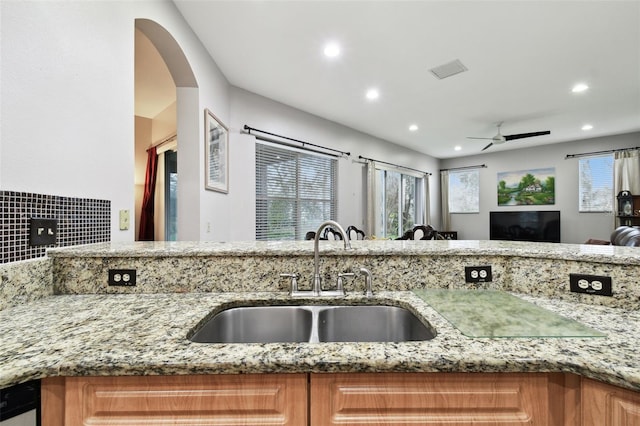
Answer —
575 227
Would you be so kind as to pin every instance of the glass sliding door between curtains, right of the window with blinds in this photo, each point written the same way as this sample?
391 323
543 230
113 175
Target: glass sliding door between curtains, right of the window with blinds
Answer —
400 203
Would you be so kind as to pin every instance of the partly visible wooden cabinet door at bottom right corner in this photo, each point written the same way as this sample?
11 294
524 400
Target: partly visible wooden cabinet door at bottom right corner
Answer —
606 405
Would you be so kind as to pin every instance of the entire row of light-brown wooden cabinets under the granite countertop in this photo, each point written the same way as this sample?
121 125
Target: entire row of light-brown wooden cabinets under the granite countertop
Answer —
345 399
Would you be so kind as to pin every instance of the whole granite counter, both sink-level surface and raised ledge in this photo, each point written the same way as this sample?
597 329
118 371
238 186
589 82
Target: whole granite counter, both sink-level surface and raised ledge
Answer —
91 329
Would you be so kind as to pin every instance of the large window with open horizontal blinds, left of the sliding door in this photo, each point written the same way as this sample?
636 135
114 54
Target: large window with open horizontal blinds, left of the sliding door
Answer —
295 192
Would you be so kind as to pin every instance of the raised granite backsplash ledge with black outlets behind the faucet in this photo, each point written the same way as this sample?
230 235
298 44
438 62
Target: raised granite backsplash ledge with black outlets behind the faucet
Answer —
396 265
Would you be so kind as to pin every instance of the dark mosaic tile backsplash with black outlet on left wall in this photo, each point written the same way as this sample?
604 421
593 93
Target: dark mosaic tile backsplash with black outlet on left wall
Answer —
80 221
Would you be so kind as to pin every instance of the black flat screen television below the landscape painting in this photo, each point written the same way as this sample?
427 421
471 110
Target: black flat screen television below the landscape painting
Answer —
539 226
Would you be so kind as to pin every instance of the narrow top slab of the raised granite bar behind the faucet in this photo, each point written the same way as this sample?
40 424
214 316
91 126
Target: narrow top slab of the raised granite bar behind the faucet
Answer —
579 252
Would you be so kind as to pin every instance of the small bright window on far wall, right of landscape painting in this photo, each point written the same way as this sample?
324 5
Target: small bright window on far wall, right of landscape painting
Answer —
595 183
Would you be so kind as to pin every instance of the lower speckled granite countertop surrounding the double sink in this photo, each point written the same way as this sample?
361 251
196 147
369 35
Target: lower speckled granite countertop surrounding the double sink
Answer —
146 334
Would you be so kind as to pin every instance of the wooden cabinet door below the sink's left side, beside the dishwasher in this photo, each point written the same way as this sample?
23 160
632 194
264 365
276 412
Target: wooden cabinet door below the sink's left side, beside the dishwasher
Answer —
278 399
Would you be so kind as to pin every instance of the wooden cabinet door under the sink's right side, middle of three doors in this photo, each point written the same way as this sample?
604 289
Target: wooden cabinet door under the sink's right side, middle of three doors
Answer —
435 399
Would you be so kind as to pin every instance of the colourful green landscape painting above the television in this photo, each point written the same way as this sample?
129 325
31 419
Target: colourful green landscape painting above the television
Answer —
527 187
